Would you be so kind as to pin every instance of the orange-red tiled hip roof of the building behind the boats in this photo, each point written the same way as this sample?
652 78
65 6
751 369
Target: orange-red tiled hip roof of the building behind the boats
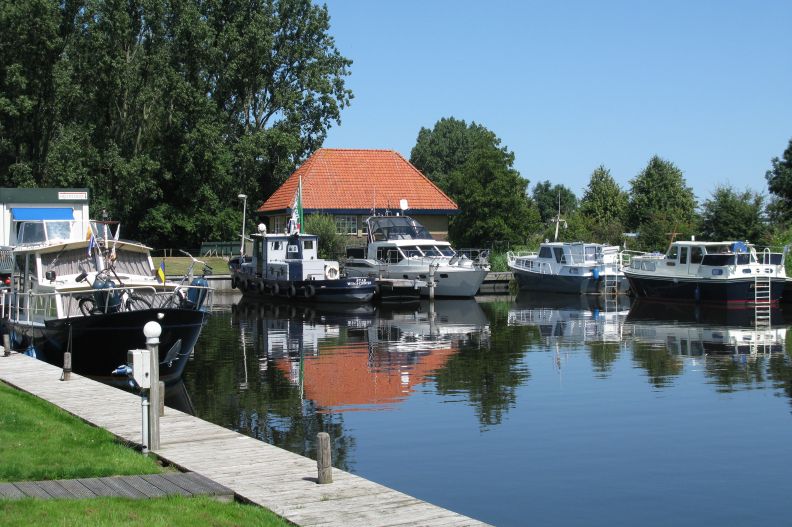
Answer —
353 180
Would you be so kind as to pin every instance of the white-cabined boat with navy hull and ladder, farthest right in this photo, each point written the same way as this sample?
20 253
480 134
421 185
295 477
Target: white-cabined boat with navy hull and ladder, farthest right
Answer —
728 272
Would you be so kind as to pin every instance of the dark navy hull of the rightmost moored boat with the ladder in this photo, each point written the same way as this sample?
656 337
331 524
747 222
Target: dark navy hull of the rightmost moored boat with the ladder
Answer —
705 291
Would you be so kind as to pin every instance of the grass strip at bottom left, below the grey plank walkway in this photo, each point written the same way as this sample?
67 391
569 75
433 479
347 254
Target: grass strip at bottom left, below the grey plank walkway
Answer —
171 511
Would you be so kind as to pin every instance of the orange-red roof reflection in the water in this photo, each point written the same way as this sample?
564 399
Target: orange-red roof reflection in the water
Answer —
344 376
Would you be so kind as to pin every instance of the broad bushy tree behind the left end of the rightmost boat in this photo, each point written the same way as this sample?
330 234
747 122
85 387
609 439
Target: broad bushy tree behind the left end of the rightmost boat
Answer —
660 205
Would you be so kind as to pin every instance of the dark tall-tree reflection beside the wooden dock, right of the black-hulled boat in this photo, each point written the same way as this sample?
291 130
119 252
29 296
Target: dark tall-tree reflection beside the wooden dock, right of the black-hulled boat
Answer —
241 392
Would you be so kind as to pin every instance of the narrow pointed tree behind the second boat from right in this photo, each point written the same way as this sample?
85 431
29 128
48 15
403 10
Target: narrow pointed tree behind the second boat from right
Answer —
604 205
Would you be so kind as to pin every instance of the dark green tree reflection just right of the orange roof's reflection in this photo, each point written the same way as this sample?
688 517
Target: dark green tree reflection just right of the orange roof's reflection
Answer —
490 372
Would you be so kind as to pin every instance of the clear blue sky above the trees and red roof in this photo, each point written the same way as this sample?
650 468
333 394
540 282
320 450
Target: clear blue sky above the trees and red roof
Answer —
571 85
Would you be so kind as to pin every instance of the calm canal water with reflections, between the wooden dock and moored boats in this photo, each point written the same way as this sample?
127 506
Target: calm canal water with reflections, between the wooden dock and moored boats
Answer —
551 411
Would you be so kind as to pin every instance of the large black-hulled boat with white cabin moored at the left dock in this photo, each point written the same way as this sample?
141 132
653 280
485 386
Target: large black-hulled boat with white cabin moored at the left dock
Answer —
93 296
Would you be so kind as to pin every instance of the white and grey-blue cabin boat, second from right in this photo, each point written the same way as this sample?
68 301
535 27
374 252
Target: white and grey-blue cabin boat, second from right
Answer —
570 267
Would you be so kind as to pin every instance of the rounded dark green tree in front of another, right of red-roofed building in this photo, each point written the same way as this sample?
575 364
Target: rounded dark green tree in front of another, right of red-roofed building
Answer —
492 200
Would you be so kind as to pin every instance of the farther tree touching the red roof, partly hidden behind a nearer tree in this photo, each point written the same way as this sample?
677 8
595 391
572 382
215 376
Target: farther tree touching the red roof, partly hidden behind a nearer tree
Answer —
446 148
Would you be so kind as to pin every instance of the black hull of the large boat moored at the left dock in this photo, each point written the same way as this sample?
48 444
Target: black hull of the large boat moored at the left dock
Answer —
99 343
